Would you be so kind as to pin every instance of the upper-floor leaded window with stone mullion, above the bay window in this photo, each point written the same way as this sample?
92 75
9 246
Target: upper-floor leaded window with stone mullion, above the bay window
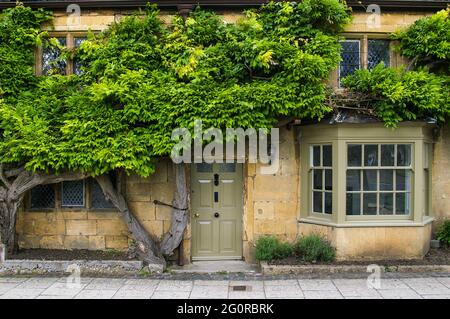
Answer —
362 54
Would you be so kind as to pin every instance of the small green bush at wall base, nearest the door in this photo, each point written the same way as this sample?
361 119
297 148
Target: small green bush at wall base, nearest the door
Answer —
270 248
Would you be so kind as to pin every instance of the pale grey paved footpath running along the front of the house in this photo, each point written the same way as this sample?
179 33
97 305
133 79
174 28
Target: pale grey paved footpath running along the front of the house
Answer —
424 287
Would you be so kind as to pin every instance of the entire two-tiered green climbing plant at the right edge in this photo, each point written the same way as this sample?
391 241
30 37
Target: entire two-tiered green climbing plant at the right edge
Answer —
420 90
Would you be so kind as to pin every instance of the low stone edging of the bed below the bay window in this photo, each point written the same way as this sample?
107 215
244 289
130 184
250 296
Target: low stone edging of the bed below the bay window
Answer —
271 270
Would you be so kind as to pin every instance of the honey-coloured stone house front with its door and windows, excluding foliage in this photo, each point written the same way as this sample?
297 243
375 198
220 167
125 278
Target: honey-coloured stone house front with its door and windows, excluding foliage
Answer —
373 192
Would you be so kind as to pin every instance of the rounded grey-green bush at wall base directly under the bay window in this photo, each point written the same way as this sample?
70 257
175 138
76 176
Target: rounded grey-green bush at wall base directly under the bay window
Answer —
314 248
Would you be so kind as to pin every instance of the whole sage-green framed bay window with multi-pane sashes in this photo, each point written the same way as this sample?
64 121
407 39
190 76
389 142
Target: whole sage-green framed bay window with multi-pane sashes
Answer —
366 173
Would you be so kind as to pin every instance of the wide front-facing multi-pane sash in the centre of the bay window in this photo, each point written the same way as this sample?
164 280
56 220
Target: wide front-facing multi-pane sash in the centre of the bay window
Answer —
379 179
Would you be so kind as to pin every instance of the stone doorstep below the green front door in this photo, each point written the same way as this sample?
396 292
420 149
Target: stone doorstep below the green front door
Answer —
217 266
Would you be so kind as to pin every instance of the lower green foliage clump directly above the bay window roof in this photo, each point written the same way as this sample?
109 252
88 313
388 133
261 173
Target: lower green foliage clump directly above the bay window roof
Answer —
400 95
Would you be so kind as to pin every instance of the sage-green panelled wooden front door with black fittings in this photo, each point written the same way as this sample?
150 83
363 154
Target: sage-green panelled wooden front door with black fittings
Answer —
216 212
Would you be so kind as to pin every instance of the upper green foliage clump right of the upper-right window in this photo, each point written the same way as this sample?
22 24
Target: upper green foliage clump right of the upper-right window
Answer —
428 38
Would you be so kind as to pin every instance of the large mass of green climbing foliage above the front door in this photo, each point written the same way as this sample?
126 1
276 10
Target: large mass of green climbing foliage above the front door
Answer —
142 79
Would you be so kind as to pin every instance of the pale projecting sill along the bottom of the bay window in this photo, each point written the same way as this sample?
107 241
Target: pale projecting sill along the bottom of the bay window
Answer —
368 223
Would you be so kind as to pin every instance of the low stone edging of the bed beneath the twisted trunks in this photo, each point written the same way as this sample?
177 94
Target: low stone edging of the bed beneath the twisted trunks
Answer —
103 267
